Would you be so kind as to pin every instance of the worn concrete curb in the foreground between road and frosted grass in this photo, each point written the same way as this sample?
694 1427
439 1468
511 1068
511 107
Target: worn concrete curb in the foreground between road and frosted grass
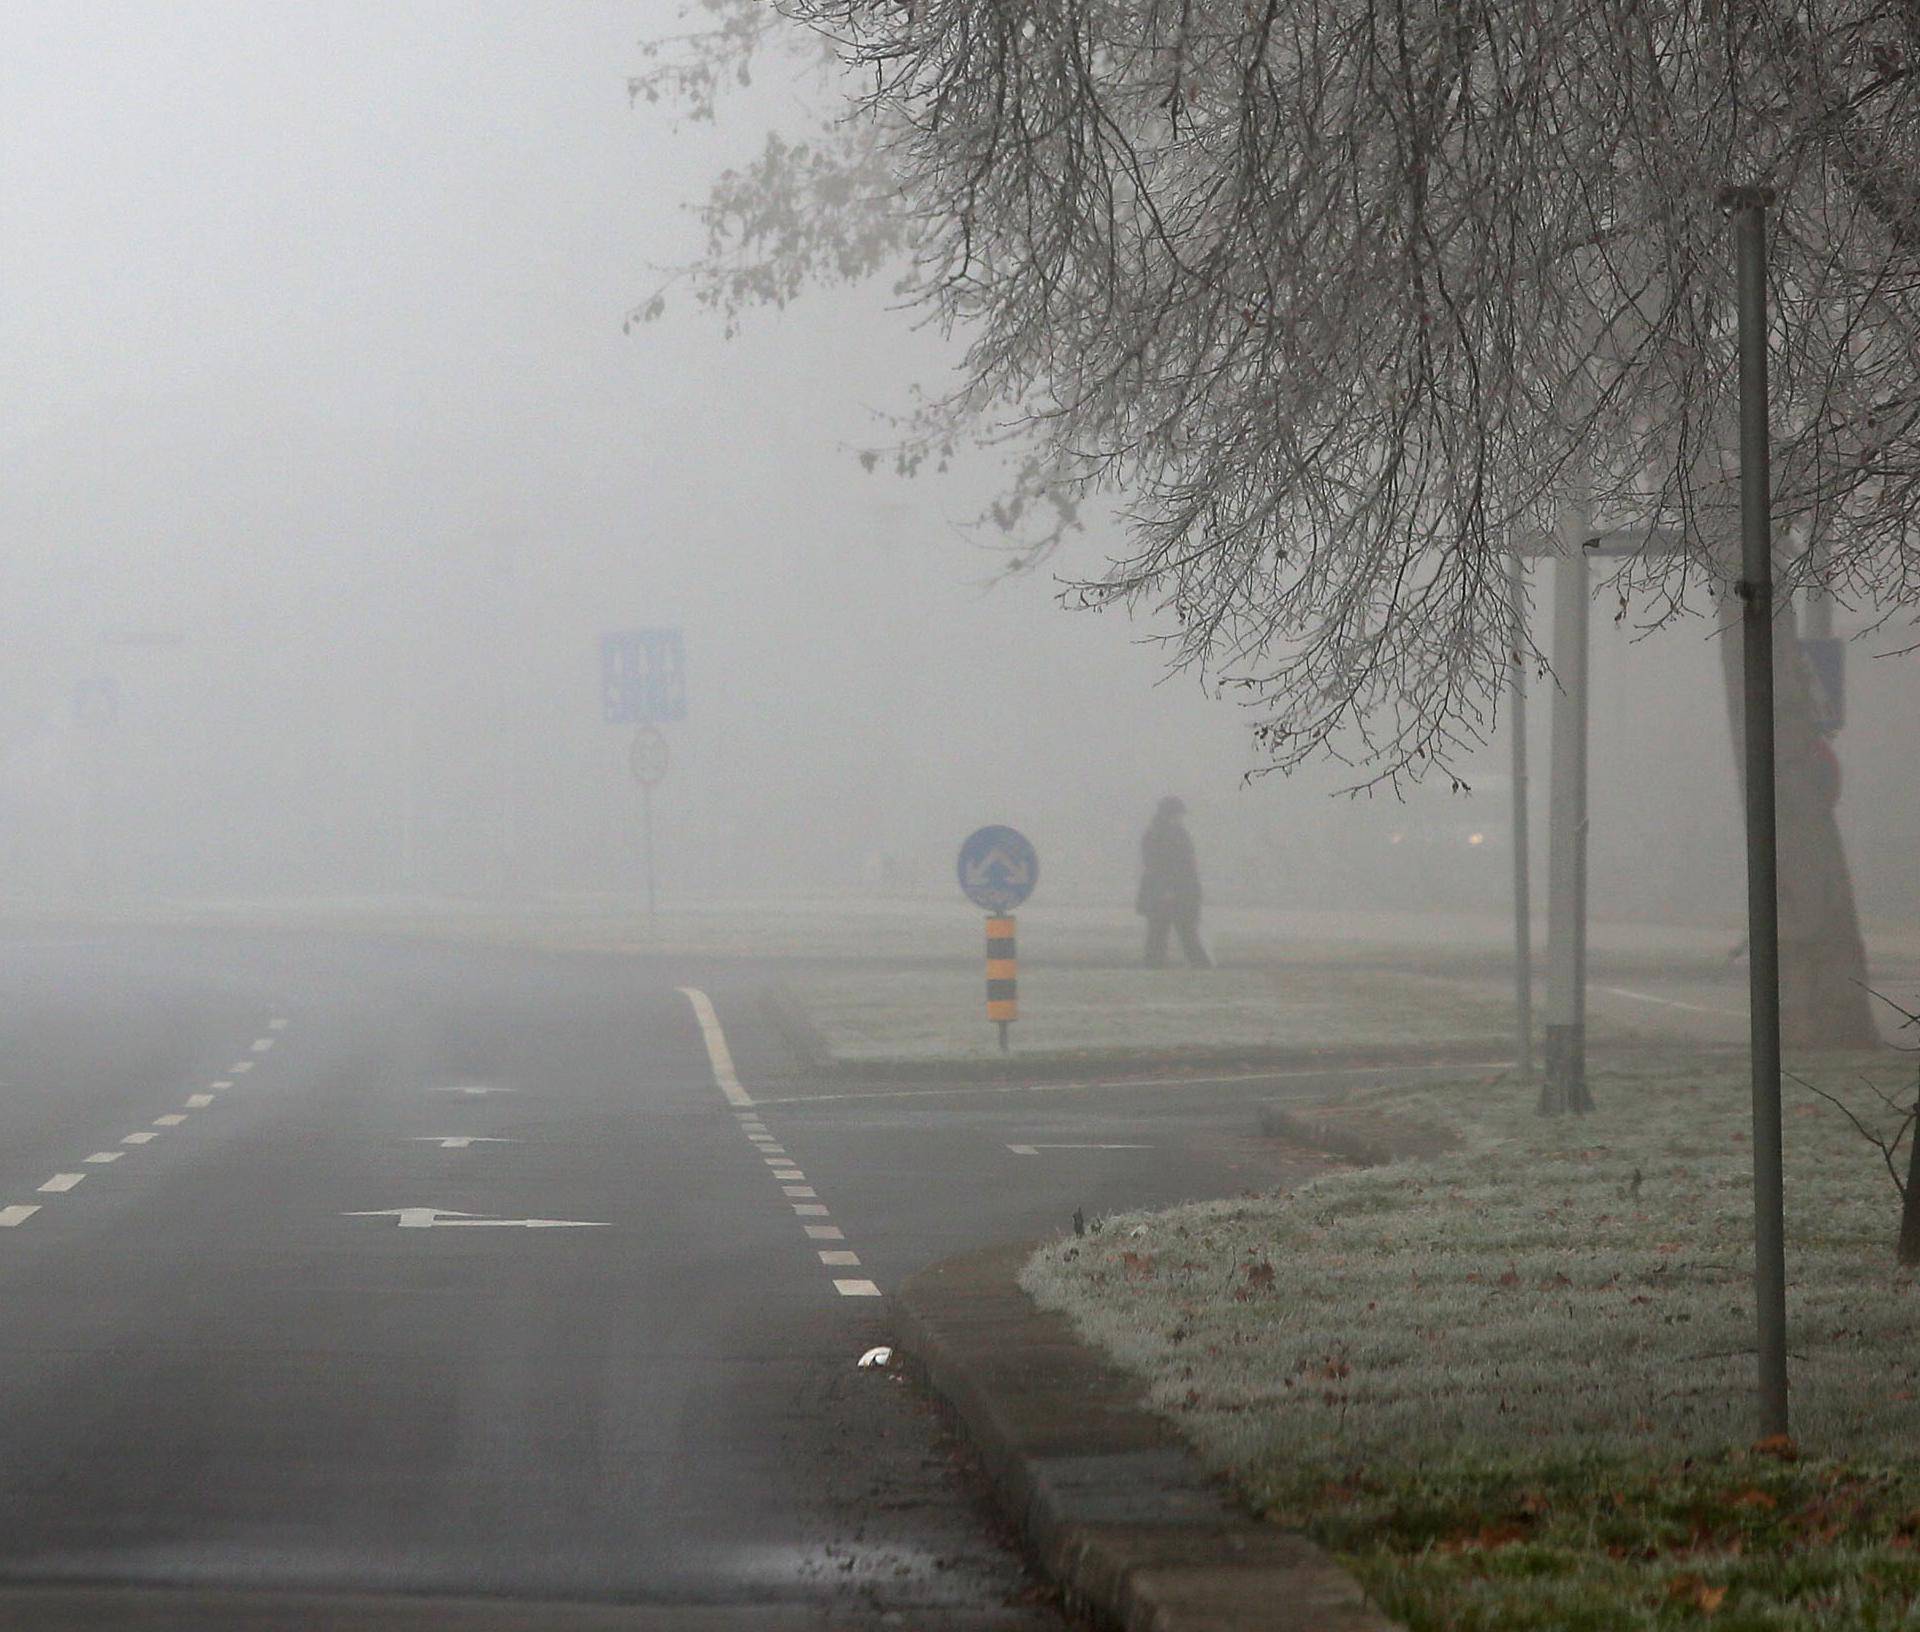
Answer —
1109 1499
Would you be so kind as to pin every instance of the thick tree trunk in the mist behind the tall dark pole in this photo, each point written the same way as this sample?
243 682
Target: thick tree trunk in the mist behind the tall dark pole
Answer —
1823 961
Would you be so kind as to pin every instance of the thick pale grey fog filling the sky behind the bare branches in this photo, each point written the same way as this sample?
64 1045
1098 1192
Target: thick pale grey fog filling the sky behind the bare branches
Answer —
327 466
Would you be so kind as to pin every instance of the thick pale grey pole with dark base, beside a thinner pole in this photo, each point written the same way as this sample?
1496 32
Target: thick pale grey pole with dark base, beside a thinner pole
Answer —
1564 1082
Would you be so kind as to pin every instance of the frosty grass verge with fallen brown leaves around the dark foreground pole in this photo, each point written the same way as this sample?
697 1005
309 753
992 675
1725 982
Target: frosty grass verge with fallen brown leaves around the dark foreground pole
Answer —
1514 1385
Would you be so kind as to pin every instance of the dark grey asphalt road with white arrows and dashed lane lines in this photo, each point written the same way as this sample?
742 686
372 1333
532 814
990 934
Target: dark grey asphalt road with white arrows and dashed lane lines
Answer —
431 1274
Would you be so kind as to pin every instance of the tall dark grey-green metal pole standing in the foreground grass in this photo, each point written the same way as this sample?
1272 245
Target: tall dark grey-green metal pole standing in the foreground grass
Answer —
1764 898
